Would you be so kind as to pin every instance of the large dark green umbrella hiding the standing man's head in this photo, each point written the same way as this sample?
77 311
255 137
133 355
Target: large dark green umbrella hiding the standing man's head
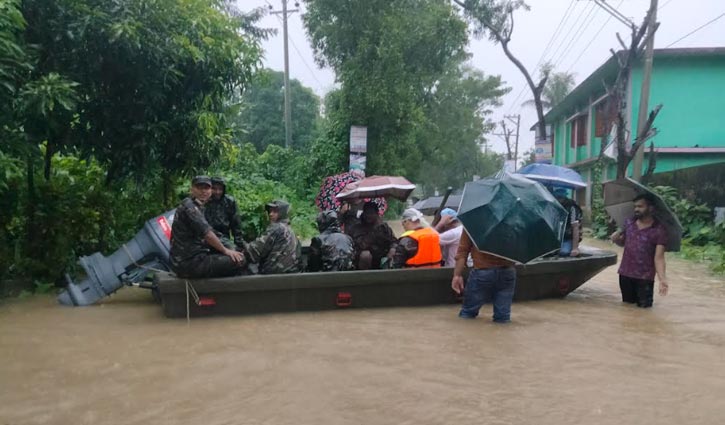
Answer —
512 217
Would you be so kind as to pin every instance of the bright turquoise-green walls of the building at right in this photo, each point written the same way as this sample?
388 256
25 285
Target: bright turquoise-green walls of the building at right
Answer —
692 91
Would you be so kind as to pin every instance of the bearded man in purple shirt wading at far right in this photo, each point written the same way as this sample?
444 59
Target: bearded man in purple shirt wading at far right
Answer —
644 240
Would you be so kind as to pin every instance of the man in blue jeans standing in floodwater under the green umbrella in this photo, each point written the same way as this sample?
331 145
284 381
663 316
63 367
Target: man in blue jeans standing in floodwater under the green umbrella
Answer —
493 280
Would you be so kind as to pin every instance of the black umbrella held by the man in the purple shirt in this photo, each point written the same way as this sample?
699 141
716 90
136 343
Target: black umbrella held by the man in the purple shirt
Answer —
618 197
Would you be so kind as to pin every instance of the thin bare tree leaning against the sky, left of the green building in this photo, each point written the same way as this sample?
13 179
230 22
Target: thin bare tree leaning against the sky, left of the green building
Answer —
495 18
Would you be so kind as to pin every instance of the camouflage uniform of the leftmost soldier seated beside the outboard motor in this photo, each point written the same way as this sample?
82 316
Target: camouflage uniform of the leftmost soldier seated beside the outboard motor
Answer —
191 256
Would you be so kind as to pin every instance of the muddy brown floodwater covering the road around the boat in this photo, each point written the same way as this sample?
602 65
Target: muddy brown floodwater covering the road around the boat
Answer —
585 359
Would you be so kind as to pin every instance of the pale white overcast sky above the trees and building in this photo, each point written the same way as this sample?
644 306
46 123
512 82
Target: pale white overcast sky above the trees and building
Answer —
580 46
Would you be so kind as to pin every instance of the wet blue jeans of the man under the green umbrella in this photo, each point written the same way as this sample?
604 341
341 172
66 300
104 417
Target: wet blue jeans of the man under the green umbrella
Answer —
489 285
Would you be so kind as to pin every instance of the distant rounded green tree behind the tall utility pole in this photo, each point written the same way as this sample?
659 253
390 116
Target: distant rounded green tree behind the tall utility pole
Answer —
262 114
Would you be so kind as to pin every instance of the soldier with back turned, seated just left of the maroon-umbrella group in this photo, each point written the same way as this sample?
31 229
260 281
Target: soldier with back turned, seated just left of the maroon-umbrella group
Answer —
332 250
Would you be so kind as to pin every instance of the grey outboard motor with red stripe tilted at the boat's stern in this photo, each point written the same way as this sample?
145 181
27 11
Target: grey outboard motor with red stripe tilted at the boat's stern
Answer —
148 250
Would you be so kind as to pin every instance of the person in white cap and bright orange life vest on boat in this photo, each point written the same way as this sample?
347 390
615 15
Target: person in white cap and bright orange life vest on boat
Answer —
419 245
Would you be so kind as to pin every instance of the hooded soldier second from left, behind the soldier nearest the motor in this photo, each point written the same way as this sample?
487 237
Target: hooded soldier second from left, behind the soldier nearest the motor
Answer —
221 213
